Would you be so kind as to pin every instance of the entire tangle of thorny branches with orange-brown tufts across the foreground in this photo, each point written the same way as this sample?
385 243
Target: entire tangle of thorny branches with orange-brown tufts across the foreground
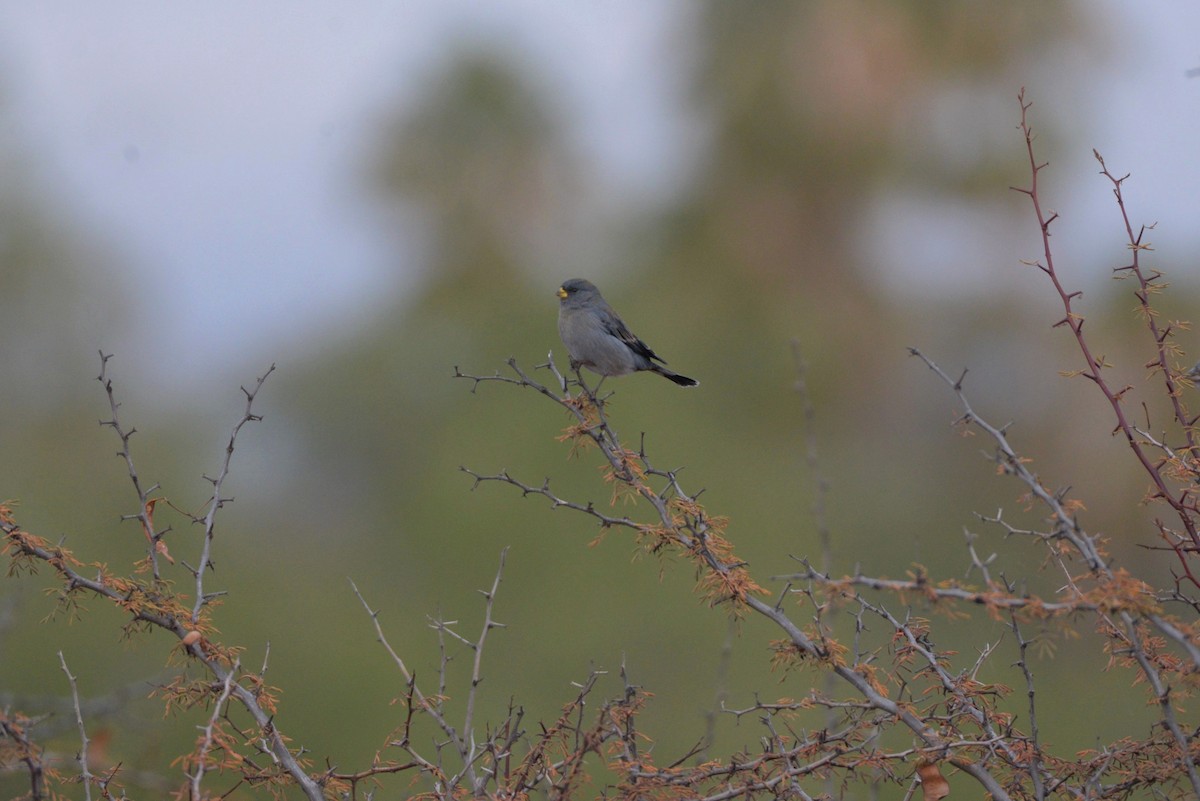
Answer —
908 707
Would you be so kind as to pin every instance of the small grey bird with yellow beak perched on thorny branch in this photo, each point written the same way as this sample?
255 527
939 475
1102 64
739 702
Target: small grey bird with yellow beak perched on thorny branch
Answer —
597 338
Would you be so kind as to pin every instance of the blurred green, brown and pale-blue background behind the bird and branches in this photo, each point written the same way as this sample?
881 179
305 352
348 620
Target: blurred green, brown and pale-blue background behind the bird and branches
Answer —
370 195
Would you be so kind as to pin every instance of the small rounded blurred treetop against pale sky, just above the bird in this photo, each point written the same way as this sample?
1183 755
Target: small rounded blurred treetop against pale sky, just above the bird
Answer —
484 158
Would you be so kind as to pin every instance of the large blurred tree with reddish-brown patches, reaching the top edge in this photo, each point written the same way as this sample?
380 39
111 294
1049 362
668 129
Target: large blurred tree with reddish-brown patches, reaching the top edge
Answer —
814 109
